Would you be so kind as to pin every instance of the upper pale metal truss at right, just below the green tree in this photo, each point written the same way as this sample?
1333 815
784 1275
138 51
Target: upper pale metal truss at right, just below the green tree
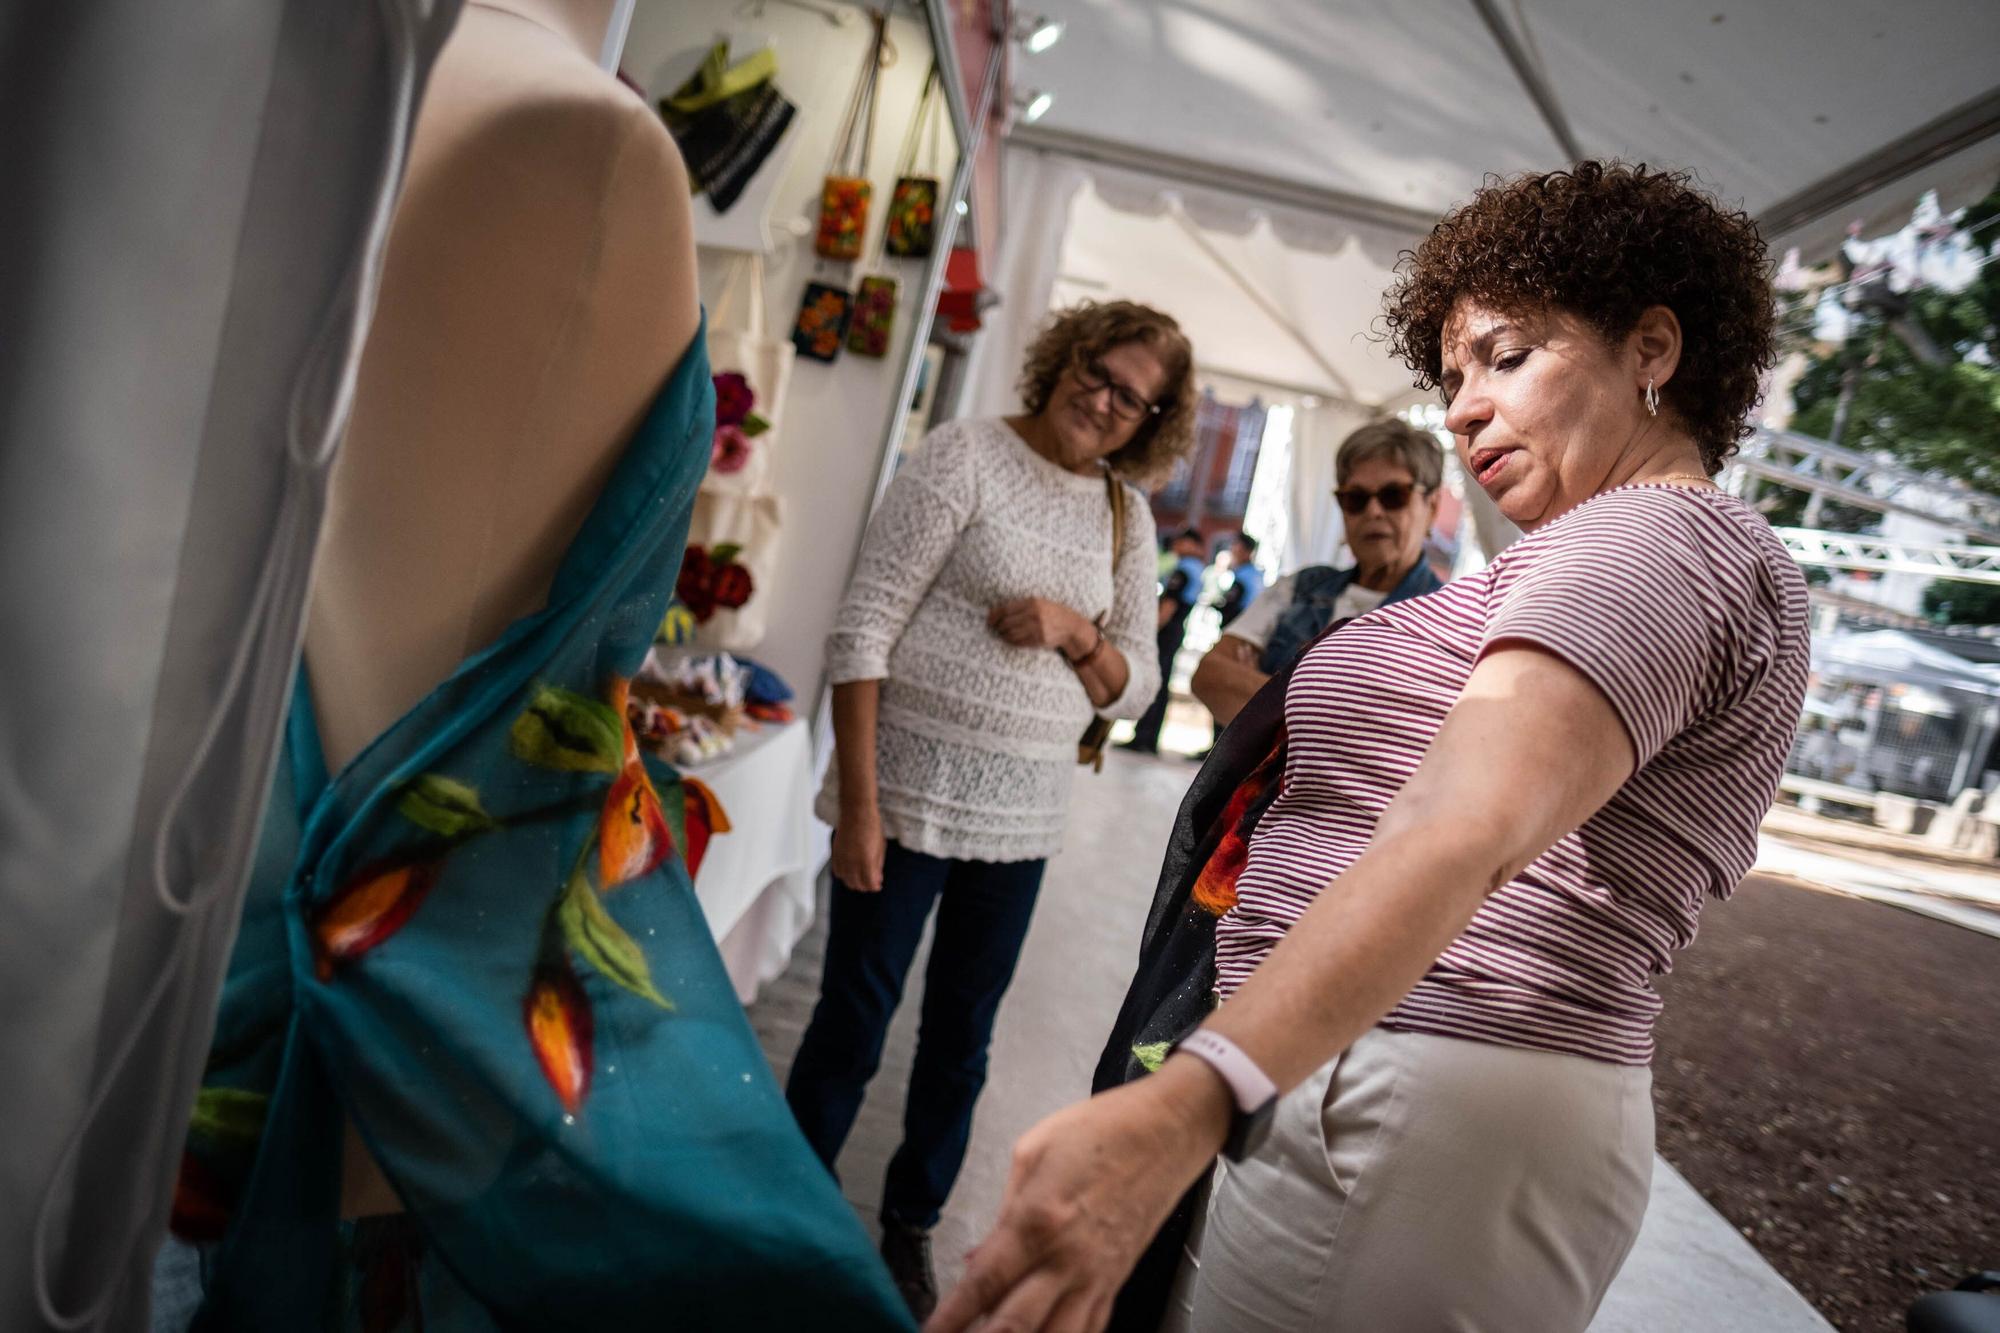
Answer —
1865 481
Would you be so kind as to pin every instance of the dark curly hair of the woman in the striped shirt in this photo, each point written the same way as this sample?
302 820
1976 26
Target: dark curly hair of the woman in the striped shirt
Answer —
1603 243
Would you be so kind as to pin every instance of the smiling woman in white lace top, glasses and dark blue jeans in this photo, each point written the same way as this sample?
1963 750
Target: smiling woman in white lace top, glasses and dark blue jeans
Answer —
989 619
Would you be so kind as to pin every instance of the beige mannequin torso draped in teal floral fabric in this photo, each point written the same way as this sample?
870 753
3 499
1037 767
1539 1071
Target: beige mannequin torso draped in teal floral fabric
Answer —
537 293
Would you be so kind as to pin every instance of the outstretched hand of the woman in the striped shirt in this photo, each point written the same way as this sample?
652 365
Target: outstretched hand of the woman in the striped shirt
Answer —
1087 1192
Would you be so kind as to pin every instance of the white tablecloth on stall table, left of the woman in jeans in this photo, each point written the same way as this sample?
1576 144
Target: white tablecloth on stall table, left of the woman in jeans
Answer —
757 884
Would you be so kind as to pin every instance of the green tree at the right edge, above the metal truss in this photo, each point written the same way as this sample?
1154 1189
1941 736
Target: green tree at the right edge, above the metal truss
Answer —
1927 375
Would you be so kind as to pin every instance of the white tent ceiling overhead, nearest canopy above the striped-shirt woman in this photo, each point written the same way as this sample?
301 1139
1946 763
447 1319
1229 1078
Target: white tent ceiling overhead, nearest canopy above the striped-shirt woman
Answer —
1409 105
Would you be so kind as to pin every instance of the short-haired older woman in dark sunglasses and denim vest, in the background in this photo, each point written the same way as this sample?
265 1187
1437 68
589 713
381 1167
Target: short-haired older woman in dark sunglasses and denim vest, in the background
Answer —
1387 477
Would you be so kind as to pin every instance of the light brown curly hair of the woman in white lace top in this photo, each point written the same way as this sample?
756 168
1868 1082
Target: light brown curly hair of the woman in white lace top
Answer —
1095 327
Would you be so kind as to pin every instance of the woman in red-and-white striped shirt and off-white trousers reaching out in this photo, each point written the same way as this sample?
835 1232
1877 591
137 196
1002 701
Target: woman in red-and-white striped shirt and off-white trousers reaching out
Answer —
1501 812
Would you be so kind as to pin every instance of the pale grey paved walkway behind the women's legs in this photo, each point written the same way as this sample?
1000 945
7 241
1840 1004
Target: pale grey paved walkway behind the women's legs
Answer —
1693 1270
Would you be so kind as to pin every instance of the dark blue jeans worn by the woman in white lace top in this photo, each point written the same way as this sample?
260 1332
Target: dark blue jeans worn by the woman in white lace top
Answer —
983 920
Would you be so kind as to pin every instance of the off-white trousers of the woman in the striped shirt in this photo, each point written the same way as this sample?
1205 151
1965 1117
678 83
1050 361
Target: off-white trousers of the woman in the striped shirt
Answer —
1427 1186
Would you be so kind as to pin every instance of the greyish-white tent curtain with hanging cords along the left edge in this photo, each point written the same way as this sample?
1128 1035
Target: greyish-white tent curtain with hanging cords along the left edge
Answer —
199 197
